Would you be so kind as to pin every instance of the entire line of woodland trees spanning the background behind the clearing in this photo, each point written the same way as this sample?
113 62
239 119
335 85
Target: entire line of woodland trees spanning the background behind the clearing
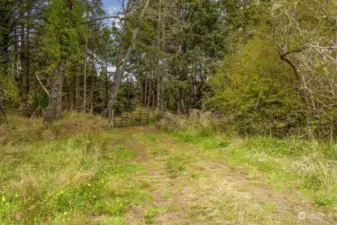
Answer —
263 66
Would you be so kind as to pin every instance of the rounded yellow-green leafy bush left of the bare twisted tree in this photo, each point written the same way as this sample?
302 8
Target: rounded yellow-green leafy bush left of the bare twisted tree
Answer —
256 90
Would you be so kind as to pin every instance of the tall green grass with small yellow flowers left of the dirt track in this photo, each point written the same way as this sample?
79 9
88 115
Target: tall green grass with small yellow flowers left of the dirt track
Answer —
68 180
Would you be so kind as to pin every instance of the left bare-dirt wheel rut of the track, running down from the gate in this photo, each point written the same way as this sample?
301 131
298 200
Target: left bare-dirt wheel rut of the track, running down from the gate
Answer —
158 206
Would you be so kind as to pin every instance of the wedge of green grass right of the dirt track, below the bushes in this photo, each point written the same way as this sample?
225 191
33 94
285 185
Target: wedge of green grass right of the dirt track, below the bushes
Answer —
308 166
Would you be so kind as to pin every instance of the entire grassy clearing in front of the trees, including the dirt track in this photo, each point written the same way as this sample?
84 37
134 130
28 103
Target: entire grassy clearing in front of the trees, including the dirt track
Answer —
79 171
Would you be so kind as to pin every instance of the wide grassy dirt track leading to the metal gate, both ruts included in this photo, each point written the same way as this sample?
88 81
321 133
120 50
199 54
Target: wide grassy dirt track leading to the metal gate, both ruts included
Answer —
186 188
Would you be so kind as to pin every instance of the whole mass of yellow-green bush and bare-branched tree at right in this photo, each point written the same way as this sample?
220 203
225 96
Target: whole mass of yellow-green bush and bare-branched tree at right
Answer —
274 82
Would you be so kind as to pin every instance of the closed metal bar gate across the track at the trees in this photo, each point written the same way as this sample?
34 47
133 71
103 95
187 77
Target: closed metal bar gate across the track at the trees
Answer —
135 118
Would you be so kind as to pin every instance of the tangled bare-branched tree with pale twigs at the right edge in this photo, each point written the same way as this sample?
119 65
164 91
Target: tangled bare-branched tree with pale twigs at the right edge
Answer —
309 47
